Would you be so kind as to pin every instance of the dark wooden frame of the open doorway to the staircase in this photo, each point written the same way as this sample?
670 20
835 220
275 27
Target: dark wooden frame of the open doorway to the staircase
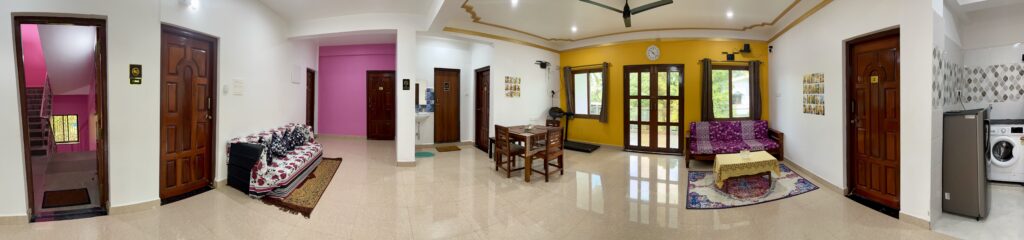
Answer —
103 150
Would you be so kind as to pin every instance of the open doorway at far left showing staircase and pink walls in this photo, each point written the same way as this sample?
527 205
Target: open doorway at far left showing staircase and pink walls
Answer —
63 93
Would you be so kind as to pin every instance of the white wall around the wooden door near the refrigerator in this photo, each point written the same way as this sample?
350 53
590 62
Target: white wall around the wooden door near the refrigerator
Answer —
817 46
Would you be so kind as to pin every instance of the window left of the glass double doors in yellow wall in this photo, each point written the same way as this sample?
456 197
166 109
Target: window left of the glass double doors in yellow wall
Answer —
588 92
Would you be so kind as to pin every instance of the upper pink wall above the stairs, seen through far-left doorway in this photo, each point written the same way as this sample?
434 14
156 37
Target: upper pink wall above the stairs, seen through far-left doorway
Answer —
35 62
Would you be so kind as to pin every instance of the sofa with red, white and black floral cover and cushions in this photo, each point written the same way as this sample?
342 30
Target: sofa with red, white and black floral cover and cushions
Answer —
277 173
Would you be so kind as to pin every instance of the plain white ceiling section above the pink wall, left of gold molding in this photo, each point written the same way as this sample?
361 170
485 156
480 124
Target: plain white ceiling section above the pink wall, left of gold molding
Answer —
313 10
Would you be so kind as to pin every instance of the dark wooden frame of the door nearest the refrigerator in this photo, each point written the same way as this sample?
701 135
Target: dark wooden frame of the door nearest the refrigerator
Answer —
848 99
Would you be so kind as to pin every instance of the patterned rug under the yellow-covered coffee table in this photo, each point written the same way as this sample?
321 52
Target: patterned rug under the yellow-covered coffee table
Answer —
702 193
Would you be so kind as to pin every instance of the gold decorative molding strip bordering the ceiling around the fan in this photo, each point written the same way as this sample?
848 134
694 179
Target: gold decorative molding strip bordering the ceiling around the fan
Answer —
477 19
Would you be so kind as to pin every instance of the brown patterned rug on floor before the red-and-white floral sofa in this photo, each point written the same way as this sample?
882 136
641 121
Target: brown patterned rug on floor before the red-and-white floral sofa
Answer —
305 198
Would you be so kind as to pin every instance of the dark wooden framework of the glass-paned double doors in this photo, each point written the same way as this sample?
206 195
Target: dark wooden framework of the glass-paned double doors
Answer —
654 118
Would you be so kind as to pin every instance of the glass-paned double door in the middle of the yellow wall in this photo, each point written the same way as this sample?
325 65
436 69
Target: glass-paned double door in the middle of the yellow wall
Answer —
654 108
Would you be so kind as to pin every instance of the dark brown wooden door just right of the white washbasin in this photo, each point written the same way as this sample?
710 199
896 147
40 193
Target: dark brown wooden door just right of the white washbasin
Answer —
447 106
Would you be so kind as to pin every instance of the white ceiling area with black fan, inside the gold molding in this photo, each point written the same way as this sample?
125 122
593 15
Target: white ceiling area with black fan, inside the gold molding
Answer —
553 20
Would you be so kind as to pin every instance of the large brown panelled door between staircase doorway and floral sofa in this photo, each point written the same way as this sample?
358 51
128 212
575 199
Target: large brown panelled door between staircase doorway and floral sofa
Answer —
188 89
